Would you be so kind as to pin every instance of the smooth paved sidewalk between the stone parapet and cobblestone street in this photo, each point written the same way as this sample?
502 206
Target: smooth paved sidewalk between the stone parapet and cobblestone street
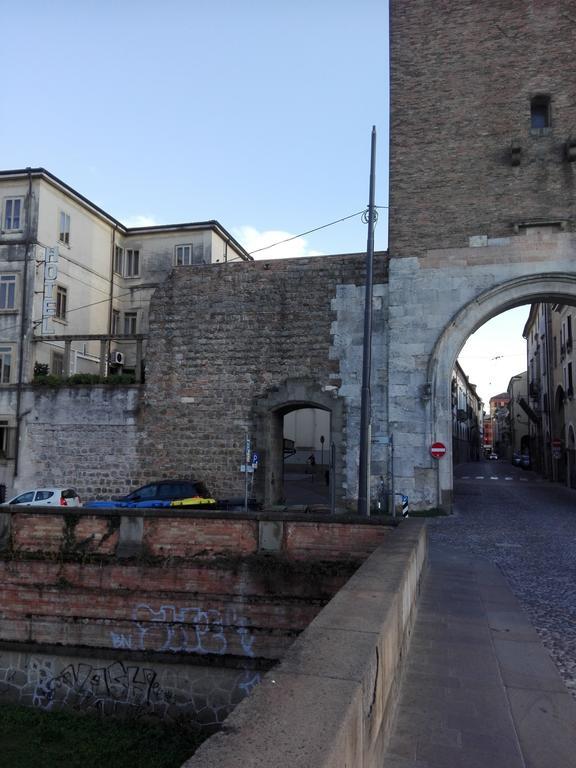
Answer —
479 689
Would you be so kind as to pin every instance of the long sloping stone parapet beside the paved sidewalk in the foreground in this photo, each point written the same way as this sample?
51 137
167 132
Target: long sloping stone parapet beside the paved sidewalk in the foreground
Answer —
330 702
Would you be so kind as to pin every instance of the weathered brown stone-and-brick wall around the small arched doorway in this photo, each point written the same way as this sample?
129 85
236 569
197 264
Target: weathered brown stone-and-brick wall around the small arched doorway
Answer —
224 337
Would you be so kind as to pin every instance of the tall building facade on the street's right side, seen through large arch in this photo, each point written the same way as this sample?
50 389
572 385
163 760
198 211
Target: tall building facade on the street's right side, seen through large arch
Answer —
551 369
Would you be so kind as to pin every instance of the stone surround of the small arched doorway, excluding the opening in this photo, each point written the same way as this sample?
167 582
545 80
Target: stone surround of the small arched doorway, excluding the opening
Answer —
270 410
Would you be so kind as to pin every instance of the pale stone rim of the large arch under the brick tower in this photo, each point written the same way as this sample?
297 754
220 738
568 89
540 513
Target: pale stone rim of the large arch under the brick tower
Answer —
553 289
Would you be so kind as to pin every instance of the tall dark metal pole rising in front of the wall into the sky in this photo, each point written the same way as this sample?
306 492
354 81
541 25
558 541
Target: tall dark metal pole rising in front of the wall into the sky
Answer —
365 415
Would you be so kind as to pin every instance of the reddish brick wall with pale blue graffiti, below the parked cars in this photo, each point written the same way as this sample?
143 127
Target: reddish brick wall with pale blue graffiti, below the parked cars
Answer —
200 585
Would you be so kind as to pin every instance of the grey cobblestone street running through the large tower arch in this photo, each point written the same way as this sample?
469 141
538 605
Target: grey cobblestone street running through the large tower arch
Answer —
527 527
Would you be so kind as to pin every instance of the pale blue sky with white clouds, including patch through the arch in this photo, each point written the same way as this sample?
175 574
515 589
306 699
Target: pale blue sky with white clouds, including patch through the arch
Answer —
254 113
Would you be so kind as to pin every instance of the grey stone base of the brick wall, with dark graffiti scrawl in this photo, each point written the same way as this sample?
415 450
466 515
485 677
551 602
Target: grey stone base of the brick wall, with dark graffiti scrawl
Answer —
204 695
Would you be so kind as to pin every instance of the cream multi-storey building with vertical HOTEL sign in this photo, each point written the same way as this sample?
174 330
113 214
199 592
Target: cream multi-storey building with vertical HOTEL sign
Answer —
75 286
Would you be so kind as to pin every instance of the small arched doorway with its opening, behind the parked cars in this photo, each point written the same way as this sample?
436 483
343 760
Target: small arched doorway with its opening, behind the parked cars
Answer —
291 422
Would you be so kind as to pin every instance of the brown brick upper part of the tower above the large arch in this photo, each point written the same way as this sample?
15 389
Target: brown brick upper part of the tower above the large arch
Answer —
462 78
